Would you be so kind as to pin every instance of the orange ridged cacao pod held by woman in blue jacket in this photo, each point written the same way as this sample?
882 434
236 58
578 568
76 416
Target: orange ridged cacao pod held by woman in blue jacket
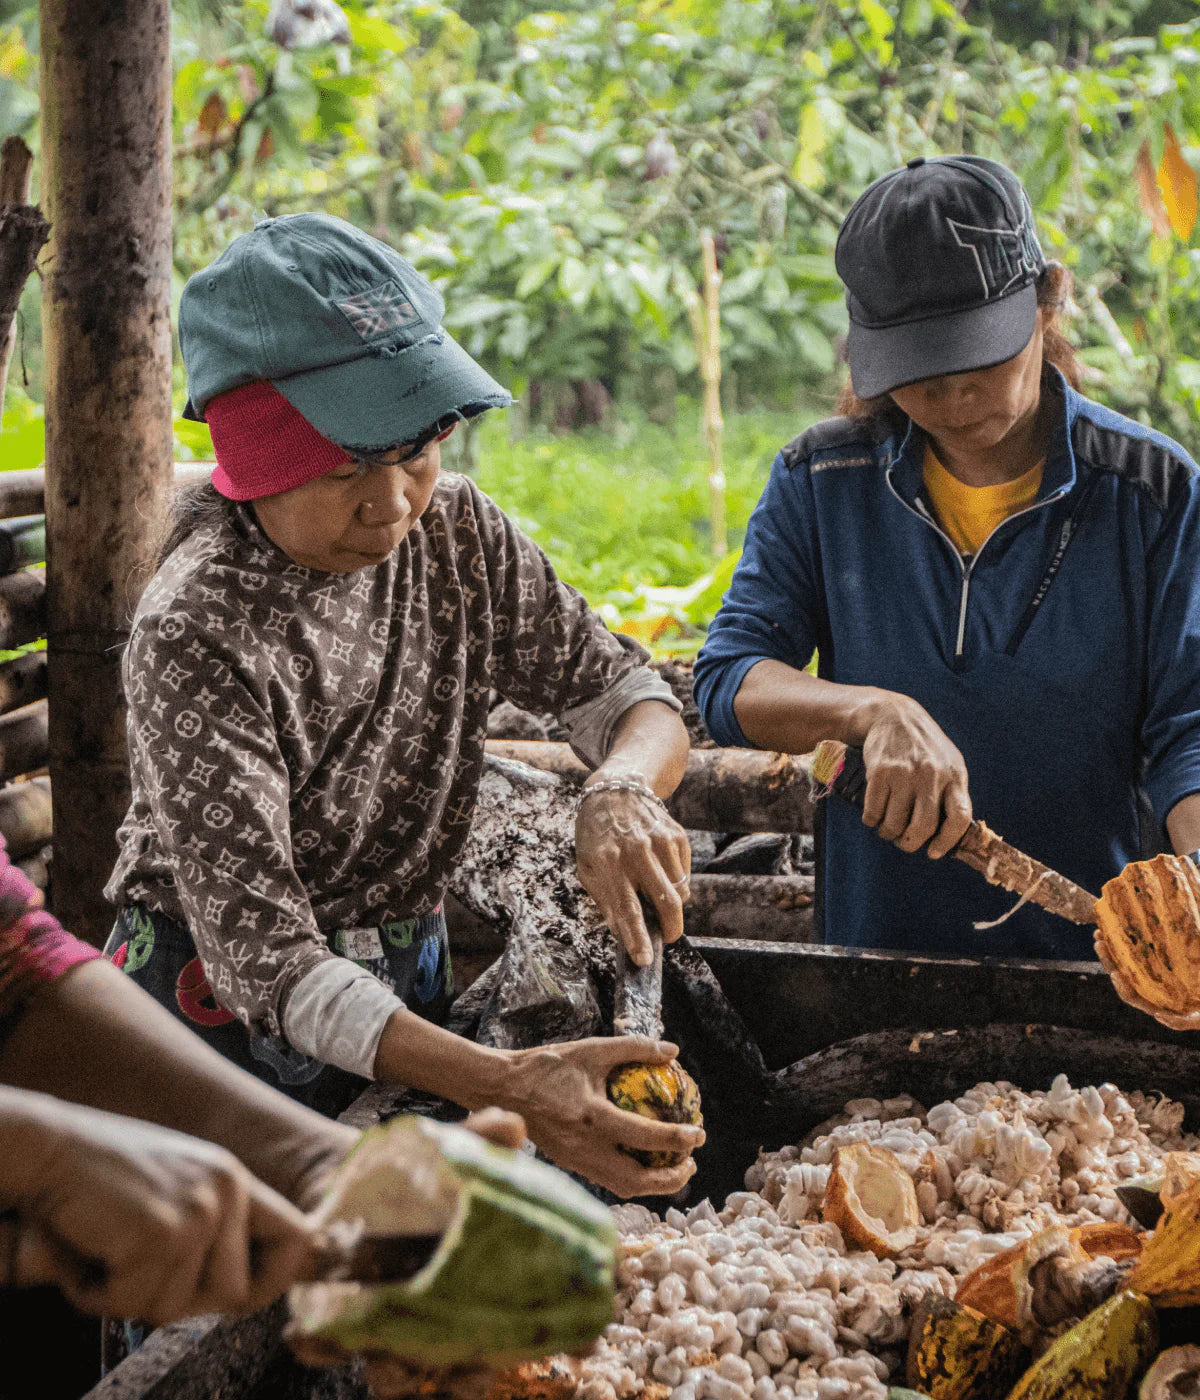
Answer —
1149 939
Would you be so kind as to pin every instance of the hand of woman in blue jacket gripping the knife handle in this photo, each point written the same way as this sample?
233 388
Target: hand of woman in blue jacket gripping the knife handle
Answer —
916 779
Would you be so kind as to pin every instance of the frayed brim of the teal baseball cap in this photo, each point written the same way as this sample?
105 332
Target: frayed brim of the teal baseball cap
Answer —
377 401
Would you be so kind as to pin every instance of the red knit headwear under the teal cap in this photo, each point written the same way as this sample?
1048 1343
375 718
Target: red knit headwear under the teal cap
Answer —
264 444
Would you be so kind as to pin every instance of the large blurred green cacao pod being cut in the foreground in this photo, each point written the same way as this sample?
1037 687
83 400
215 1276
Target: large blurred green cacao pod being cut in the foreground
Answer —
524 1266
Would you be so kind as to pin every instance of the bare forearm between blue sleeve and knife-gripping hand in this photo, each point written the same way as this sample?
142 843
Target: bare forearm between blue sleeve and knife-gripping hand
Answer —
781 708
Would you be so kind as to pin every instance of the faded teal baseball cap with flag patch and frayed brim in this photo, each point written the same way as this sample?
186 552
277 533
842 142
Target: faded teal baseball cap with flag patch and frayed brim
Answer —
340 324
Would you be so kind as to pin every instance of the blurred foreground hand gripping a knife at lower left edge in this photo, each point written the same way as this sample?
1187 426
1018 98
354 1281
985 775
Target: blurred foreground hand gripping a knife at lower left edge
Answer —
139 1221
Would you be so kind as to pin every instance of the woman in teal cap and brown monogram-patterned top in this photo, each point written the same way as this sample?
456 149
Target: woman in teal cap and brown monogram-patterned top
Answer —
309 680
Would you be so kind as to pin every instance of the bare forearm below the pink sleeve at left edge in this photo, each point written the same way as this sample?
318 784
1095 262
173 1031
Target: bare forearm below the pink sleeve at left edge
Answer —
95 1038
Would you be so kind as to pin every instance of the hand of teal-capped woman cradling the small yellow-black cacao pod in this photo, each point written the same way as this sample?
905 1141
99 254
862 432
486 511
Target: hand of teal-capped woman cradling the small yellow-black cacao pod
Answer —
561 1091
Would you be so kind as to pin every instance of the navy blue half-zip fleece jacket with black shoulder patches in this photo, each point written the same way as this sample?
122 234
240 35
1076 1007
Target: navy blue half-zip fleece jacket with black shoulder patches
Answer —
1068 691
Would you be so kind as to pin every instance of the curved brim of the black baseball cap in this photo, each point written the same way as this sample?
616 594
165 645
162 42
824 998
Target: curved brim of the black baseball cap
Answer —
888 358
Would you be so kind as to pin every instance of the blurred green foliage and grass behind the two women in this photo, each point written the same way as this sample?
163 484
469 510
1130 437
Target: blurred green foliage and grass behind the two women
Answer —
554 170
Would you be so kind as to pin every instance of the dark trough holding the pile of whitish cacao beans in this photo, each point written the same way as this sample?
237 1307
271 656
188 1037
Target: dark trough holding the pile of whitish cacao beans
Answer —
846 1024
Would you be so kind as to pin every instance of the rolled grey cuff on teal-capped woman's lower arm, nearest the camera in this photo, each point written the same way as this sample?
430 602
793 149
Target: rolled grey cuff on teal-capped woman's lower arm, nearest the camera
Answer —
337 1013
